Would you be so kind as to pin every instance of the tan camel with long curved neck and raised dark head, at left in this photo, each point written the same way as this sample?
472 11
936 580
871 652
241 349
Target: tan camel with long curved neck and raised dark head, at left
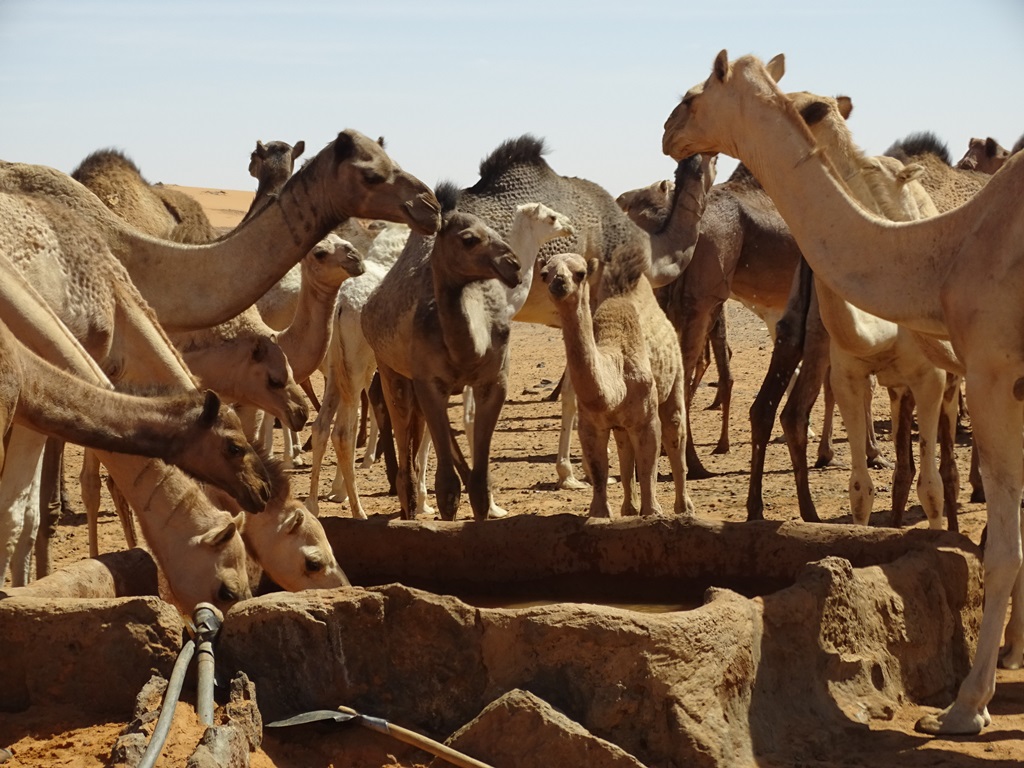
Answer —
352 177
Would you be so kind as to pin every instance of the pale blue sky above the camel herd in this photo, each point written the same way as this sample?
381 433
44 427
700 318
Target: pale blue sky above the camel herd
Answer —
186 89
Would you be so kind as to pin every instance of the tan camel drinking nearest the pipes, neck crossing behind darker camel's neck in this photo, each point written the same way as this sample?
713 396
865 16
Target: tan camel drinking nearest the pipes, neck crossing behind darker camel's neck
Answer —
197 546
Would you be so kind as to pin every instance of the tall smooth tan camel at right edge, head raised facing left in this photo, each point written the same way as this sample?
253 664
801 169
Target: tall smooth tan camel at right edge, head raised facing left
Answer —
956 276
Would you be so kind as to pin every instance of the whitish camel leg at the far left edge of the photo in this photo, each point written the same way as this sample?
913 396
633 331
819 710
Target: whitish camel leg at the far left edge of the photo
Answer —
21 494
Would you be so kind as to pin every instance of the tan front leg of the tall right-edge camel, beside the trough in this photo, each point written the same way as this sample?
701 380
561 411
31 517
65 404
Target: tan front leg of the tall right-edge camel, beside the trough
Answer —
998 421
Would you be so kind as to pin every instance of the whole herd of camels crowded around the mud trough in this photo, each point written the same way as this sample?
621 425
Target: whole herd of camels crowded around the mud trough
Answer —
901 269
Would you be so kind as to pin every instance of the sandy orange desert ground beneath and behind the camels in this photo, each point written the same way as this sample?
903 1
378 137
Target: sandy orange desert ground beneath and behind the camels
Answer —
524 479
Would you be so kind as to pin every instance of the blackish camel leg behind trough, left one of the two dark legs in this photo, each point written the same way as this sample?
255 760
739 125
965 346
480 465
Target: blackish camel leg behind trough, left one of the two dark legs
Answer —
787 353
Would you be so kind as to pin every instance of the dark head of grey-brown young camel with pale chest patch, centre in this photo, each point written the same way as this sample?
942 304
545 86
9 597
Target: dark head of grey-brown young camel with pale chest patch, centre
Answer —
466 249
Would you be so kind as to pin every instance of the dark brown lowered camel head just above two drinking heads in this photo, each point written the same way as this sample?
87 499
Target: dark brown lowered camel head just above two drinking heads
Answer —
217 452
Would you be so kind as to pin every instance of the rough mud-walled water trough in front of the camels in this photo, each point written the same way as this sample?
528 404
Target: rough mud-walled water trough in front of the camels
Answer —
651 643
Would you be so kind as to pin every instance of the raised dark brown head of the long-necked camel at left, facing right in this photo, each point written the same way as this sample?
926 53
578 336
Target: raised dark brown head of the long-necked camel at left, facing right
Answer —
367 184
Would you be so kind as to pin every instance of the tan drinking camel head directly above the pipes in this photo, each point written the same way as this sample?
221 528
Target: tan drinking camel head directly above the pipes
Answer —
211 566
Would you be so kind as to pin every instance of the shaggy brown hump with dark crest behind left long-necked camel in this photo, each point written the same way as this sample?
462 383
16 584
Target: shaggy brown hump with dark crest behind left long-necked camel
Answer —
151 208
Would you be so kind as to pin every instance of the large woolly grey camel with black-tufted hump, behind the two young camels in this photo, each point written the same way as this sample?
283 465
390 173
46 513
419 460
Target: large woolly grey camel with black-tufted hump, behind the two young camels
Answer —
516 174
